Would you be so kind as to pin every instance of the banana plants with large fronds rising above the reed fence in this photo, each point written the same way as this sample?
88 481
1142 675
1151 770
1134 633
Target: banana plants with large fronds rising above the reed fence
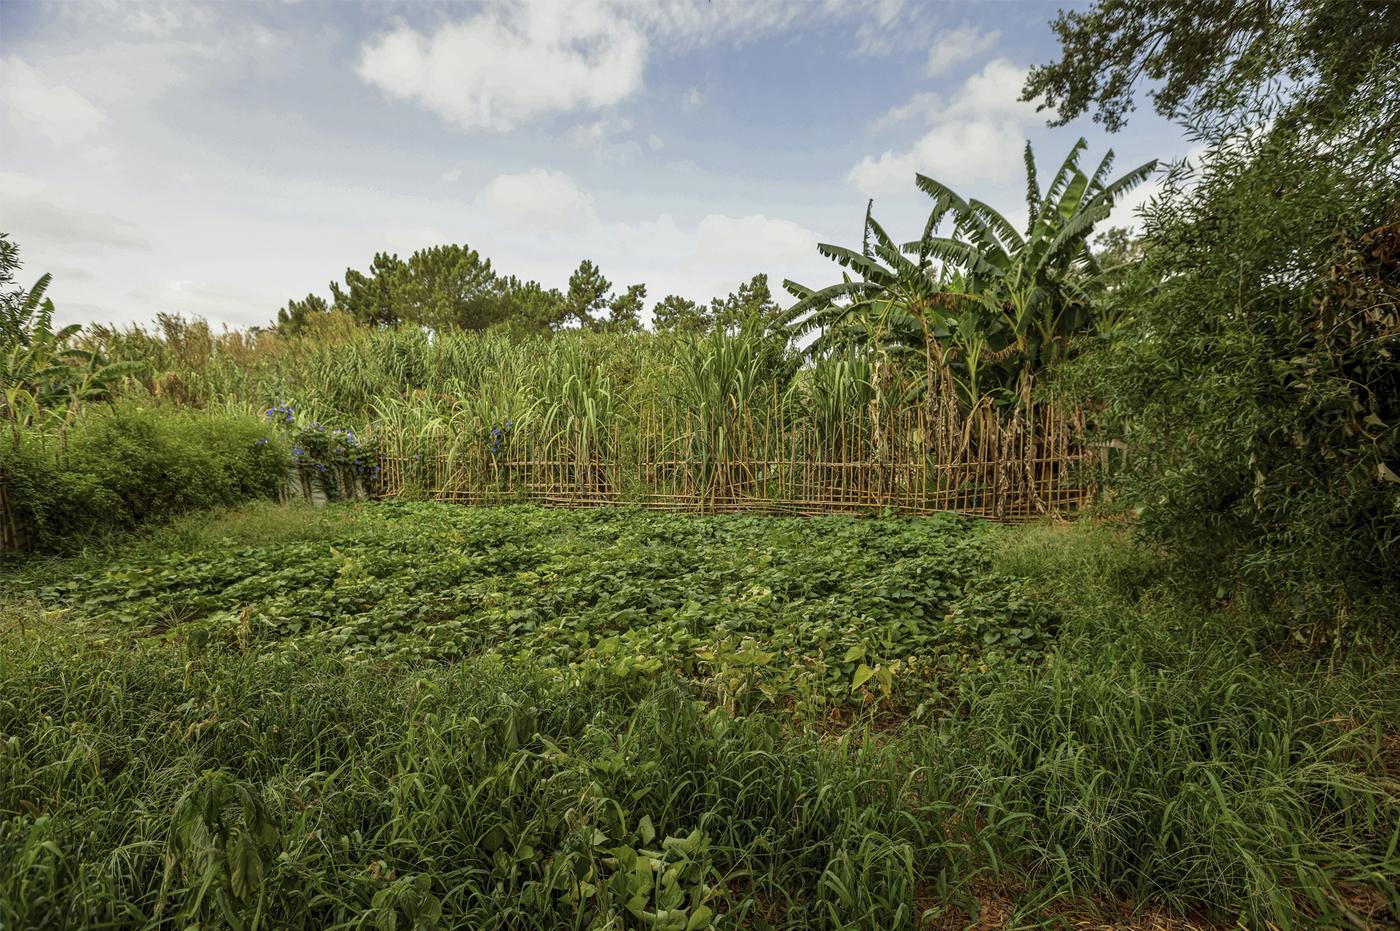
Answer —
986 306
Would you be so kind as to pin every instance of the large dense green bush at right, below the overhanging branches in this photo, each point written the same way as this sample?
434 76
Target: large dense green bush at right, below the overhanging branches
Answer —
1258 386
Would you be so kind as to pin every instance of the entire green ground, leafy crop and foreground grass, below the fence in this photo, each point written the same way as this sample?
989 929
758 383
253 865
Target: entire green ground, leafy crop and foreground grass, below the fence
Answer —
422 716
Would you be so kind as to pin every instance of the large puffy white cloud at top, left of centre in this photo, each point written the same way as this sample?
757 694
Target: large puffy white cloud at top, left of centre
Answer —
510 65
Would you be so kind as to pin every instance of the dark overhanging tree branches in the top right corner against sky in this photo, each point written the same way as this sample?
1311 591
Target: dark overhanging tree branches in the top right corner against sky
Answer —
1303 61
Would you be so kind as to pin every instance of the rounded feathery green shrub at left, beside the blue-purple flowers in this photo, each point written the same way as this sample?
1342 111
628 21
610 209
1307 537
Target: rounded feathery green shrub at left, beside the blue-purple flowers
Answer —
121 468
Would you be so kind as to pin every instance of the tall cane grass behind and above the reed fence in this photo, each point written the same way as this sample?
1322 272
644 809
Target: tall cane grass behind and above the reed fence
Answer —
409 380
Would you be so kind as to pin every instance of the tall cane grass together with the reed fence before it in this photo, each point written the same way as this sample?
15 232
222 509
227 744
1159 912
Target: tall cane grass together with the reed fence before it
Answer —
729 419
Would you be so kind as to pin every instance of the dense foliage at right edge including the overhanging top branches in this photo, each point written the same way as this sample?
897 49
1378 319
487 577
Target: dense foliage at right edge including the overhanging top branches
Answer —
1255 373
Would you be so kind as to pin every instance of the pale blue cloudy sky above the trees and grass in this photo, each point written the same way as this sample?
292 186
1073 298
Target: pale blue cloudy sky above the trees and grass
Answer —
216 160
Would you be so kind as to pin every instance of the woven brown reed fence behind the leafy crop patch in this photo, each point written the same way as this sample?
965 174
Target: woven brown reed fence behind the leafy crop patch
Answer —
992 464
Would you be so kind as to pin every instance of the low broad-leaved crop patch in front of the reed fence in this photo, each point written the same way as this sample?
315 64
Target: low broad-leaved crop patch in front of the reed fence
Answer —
740 604
